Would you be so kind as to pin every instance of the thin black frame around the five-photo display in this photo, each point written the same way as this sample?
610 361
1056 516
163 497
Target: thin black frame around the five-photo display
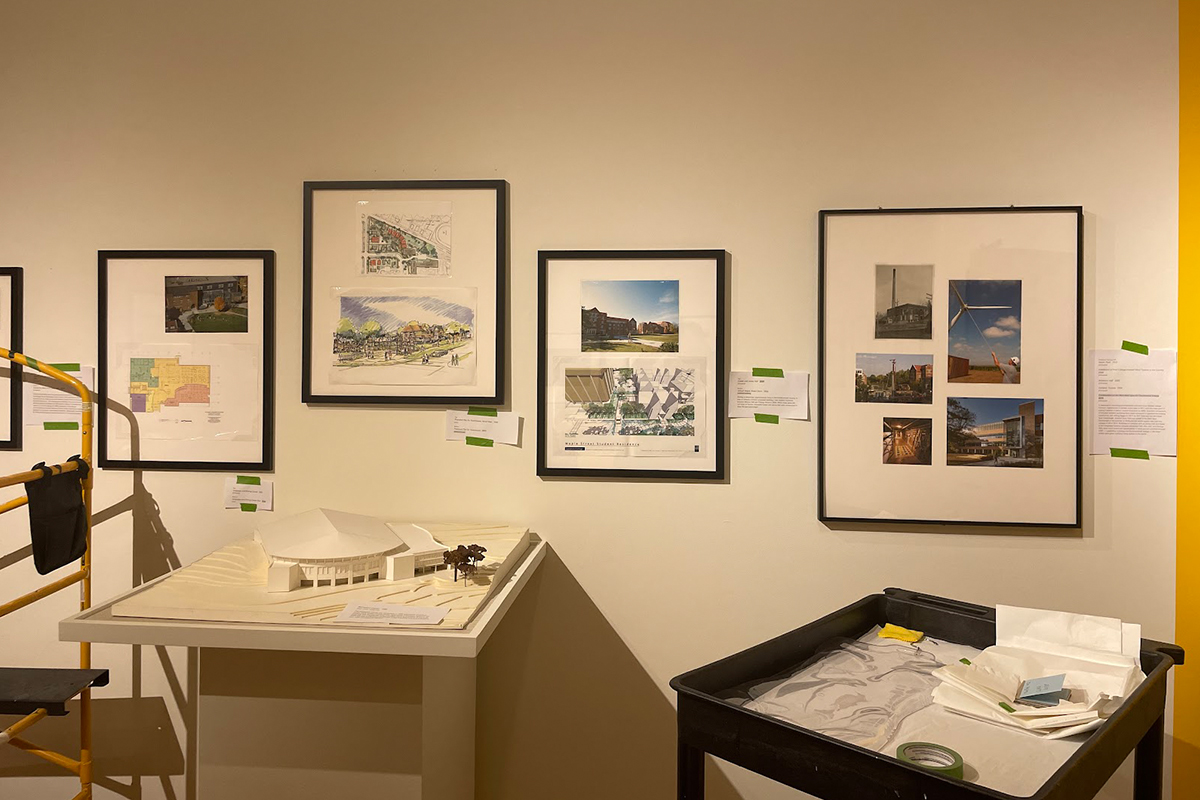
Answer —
823 408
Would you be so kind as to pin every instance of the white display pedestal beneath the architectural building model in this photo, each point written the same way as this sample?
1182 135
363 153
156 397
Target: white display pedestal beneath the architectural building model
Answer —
296 712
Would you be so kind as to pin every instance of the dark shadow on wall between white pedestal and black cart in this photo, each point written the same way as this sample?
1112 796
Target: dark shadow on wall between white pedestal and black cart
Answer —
565 709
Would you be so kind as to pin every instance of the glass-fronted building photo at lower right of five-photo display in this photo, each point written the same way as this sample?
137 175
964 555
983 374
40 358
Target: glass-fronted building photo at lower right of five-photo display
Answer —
994 432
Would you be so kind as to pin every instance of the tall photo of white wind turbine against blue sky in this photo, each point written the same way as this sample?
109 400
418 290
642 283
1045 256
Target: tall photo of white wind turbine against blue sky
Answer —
985 333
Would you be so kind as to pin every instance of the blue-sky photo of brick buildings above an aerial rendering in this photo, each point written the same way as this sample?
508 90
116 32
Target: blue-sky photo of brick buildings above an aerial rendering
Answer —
629 317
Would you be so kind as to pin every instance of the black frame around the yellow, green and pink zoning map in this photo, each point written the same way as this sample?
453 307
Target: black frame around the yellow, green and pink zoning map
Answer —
265 465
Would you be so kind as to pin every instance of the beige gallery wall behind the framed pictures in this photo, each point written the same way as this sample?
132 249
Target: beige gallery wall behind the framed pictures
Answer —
620 125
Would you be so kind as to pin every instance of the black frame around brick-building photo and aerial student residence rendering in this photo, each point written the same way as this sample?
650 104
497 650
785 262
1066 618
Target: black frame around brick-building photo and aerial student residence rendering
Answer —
721 260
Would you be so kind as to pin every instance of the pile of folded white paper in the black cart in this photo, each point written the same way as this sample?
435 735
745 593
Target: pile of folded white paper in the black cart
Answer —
1099 655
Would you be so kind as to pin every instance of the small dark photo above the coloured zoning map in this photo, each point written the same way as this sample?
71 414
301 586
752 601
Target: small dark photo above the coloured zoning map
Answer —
207 304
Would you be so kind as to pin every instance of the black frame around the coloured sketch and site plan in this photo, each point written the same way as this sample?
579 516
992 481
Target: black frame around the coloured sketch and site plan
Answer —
496 398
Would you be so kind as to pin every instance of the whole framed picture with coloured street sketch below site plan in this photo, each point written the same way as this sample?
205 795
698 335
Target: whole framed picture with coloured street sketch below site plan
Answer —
404 292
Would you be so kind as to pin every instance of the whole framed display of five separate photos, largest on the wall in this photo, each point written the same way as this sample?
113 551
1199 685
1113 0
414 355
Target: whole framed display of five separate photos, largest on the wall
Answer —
950 366
